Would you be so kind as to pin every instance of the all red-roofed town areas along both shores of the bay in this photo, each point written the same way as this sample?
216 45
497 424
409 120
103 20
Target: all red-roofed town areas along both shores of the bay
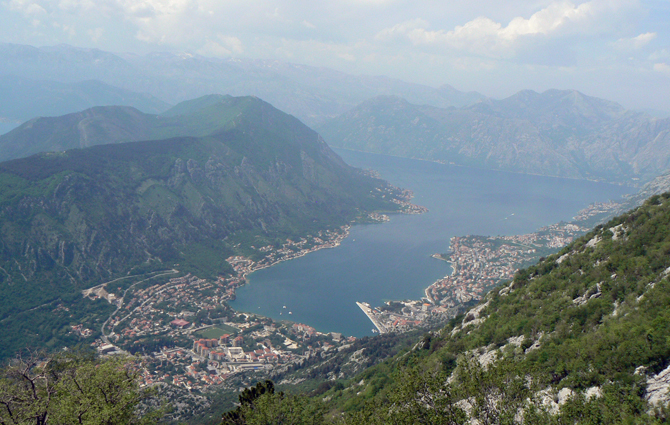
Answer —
187 336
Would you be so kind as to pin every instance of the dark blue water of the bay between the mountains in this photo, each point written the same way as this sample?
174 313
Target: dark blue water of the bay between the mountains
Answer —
378 262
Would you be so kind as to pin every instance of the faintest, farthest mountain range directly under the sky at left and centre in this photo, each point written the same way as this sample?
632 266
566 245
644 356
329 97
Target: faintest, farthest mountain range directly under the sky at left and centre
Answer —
312 94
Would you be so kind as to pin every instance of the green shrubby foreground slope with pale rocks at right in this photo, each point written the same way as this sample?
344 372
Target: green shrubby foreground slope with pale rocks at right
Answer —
581 337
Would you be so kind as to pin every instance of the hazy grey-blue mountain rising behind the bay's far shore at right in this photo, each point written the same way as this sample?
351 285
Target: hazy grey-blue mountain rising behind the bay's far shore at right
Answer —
555 133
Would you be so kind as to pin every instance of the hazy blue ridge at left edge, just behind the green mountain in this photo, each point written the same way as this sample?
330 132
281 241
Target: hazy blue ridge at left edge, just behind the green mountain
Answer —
24 98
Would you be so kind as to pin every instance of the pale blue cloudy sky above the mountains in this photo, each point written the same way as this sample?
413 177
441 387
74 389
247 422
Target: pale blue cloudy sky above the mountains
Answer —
614 49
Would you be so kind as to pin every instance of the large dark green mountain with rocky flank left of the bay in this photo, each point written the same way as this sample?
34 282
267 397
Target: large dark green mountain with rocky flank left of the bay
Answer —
240 173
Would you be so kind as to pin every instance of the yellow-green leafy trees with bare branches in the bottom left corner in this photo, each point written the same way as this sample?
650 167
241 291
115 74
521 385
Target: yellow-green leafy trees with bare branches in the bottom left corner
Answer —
75 389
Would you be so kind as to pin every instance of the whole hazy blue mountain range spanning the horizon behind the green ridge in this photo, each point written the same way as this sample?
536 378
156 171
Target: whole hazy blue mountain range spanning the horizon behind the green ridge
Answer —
557 133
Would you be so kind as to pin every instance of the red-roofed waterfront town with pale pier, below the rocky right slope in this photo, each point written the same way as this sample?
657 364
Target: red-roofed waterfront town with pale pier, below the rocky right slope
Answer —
479 263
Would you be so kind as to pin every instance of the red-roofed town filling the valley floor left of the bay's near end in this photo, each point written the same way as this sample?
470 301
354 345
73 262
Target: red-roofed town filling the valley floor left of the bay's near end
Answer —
189 337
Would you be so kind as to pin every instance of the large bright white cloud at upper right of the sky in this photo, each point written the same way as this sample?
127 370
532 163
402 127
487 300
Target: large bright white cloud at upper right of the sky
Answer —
484 36
